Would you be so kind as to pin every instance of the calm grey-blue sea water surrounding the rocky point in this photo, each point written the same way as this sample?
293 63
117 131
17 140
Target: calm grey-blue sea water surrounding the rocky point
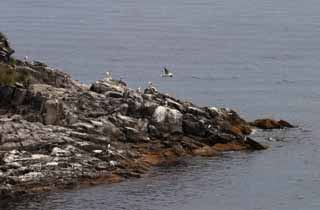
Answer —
261 58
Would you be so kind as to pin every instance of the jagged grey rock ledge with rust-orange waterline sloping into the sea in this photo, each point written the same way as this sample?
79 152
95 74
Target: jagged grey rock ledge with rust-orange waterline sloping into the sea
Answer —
56 133
